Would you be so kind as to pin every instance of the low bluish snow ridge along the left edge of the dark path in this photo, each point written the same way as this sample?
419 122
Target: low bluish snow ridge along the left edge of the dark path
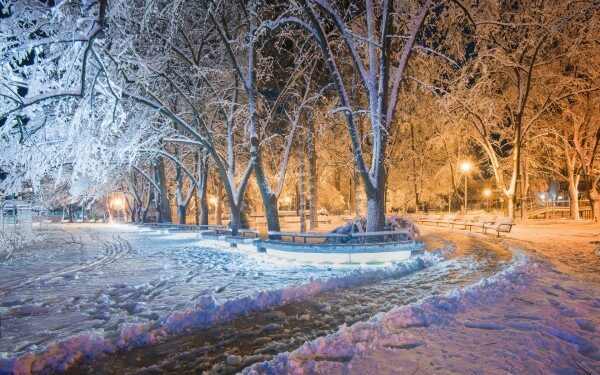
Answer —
59 356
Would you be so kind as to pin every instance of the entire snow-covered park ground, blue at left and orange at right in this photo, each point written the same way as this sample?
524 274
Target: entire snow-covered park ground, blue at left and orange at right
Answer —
87 290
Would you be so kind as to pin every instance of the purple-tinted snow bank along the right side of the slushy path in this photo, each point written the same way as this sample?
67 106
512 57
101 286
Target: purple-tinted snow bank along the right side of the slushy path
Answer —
526 319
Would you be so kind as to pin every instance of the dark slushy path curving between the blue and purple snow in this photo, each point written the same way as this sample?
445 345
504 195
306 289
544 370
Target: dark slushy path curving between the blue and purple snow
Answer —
233 345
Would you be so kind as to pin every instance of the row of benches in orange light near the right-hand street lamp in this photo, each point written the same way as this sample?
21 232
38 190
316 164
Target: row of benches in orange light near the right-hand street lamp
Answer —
496 224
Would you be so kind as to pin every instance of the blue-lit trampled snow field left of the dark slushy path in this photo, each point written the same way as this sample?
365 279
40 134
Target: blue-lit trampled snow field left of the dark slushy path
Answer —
100 288
